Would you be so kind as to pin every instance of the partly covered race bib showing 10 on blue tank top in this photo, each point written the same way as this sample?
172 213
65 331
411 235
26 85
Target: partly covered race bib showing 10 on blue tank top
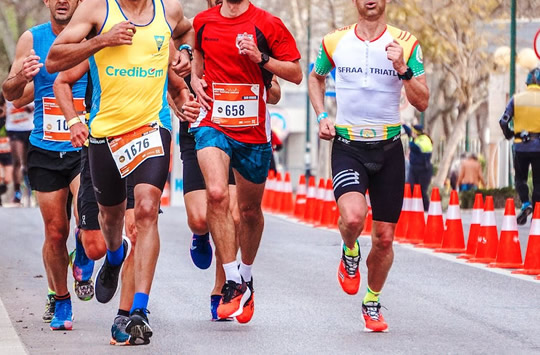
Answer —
54 124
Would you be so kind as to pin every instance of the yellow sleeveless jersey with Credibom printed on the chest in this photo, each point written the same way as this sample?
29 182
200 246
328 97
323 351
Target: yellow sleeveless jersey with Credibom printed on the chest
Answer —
130 81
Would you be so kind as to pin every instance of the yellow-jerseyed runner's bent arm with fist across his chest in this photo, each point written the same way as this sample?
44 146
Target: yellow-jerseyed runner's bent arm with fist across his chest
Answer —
70 49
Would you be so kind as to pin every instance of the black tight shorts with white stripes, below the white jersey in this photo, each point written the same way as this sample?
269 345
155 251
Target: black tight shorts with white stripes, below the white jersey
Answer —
357 166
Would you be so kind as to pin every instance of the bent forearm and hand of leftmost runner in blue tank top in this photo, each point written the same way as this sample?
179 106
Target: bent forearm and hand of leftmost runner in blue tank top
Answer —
25 66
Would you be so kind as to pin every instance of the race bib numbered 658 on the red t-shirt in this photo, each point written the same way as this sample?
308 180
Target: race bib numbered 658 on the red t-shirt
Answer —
236 105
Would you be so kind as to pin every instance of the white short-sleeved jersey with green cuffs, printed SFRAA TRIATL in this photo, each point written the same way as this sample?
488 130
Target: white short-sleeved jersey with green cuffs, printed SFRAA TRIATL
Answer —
368 89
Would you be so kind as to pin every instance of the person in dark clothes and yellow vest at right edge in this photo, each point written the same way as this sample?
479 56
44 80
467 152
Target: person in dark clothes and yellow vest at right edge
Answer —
523 112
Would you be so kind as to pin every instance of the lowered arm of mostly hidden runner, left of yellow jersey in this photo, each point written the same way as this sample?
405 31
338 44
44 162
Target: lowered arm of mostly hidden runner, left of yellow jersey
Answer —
63 91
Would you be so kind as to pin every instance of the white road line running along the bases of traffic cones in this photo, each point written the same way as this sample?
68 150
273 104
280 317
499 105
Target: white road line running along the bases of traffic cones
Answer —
444 256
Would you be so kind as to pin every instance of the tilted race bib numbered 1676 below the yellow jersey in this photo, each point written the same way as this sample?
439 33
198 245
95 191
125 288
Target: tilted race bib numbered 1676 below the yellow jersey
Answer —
129 150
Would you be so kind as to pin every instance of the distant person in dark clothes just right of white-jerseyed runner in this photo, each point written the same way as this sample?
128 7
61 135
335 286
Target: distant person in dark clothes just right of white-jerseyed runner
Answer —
421 169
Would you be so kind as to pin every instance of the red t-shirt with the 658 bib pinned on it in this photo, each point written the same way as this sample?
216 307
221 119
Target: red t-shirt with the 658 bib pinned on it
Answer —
216 38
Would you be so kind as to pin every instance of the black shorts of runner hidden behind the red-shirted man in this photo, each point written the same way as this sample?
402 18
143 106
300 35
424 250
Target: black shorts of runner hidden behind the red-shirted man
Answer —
193 178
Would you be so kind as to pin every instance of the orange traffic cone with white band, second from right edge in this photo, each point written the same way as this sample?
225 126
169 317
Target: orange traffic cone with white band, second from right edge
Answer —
509 252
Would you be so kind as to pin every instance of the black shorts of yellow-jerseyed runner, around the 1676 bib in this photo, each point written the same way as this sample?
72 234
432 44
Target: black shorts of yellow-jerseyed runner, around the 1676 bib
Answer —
110 188
